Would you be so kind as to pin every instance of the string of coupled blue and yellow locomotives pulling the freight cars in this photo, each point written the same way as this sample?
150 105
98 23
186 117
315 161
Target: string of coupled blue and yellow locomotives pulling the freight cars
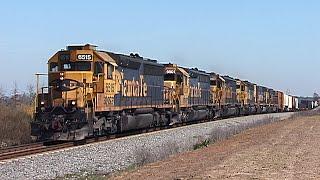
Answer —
92 92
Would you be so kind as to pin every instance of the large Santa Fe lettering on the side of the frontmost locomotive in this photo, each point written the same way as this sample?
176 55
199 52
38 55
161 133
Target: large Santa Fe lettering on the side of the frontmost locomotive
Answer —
133 88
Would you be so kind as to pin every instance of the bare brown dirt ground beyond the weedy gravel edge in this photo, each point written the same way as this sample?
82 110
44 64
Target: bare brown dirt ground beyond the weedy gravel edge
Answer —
288 149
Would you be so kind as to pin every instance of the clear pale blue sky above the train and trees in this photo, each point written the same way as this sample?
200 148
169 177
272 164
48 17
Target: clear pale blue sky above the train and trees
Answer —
271 42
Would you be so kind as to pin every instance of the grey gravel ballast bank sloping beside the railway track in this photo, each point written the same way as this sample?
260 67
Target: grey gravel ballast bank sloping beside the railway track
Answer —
114 155
